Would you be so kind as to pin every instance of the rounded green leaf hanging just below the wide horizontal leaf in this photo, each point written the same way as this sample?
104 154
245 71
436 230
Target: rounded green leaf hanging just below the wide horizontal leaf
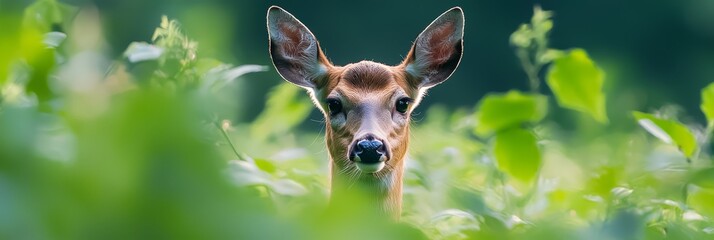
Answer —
517 153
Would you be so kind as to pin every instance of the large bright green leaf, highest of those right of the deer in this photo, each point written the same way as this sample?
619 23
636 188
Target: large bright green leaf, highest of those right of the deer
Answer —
577 84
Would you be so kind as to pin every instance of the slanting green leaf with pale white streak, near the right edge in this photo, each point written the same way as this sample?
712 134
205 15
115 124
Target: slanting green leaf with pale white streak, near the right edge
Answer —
669 131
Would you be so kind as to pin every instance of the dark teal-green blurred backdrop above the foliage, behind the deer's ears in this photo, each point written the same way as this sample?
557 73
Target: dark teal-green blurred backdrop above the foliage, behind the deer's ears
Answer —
654 52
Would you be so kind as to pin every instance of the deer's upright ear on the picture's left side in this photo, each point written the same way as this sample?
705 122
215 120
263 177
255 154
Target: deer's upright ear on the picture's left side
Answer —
295 51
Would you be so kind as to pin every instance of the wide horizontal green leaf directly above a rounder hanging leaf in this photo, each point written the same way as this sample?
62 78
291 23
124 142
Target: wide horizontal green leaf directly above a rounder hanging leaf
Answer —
500 111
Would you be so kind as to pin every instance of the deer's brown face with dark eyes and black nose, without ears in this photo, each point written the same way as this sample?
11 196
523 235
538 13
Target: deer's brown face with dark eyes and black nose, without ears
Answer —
367 107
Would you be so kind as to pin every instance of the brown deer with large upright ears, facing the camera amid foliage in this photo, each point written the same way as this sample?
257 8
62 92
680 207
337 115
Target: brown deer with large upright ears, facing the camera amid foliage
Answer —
366 105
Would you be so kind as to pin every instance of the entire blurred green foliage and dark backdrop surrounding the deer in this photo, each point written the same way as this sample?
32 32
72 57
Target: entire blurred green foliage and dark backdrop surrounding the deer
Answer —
124 119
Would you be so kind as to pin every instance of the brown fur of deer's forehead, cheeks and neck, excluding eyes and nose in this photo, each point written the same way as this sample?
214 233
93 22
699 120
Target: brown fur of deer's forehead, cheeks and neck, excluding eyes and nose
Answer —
368 88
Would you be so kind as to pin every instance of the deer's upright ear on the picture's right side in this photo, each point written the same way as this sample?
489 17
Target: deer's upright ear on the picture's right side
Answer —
437 50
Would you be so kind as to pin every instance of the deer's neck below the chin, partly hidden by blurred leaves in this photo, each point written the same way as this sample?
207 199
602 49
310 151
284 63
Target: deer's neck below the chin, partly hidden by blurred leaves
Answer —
379 191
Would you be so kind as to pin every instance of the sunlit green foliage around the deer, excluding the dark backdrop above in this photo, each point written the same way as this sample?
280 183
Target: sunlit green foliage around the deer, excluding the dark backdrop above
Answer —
91 147
